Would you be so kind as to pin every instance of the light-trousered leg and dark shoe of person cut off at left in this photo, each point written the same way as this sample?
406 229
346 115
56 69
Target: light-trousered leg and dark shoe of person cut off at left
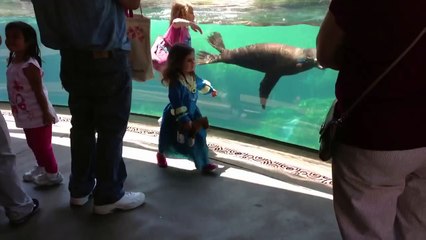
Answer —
15 201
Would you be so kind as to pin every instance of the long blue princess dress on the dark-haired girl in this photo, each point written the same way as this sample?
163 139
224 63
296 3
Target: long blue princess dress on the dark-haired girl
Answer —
183 108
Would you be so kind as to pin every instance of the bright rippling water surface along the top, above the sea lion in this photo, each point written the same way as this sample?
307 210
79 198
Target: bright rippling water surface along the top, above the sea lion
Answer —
250 12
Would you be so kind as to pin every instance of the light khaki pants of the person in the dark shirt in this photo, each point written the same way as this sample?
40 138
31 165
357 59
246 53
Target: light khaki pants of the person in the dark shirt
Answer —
380 194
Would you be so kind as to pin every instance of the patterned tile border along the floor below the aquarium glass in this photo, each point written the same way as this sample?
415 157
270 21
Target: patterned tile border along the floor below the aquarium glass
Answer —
263 162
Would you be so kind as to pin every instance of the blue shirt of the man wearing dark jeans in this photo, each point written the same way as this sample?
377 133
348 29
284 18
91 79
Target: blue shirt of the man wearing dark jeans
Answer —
82 24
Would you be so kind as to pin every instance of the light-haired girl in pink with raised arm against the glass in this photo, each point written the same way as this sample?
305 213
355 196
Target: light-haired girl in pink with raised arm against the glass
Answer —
181 17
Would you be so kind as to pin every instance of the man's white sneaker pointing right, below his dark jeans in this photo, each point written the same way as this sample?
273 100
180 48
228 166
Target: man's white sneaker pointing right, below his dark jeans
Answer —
129 201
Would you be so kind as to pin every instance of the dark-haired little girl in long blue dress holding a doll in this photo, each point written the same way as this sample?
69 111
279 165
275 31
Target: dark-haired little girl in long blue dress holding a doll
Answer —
182 110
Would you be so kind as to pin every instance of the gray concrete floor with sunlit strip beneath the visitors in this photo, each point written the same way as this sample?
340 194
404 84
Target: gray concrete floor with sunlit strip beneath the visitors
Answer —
245 200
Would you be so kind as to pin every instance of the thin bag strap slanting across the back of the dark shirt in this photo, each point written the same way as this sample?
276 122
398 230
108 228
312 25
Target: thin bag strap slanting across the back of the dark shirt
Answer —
346 113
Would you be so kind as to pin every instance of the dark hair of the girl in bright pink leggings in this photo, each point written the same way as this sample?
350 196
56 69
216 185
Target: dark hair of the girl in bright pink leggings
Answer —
30 37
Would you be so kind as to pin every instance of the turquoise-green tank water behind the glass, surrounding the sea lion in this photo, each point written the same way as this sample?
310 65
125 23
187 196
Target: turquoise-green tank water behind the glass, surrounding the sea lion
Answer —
295 108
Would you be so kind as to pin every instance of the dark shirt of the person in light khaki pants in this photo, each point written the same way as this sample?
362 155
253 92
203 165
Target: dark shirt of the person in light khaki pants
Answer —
393 114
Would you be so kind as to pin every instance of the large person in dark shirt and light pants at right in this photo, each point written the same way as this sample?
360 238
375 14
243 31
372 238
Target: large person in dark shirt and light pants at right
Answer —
379 159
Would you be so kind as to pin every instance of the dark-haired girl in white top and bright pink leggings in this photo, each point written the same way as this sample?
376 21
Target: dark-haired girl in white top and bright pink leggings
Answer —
29 102
